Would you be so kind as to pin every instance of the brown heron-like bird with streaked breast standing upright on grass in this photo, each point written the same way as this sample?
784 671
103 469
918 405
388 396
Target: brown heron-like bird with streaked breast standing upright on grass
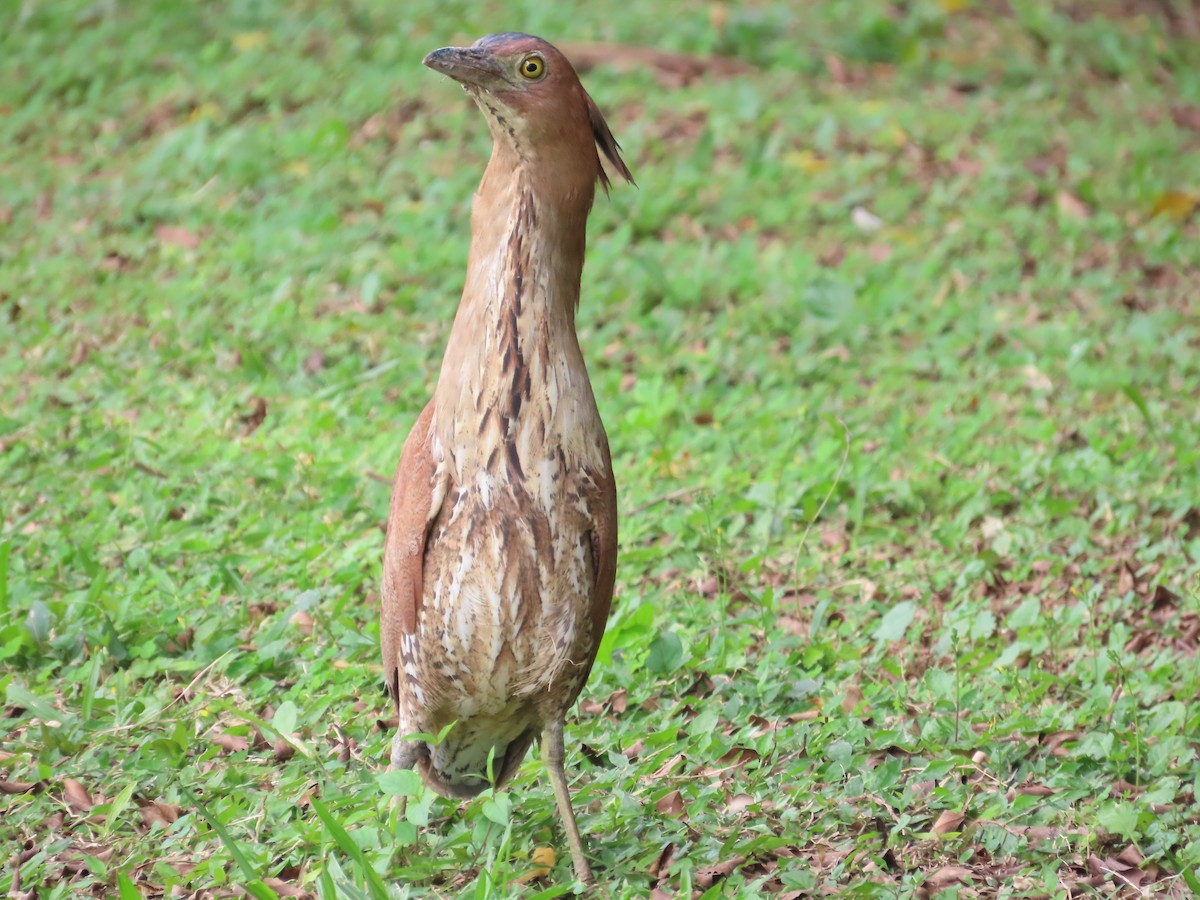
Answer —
501 551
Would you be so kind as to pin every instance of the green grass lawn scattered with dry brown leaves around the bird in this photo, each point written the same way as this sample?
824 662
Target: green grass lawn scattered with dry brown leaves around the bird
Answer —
909 592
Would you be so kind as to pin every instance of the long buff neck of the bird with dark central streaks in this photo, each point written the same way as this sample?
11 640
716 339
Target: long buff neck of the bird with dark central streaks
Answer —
513 364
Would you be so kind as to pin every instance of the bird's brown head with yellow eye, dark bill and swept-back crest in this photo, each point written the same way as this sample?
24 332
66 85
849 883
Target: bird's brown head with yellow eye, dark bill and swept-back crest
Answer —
535 103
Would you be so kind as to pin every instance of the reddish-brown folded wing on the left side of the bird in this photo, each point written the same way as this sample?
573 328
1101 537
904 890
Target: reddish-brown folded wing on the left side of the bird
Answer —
417 499
